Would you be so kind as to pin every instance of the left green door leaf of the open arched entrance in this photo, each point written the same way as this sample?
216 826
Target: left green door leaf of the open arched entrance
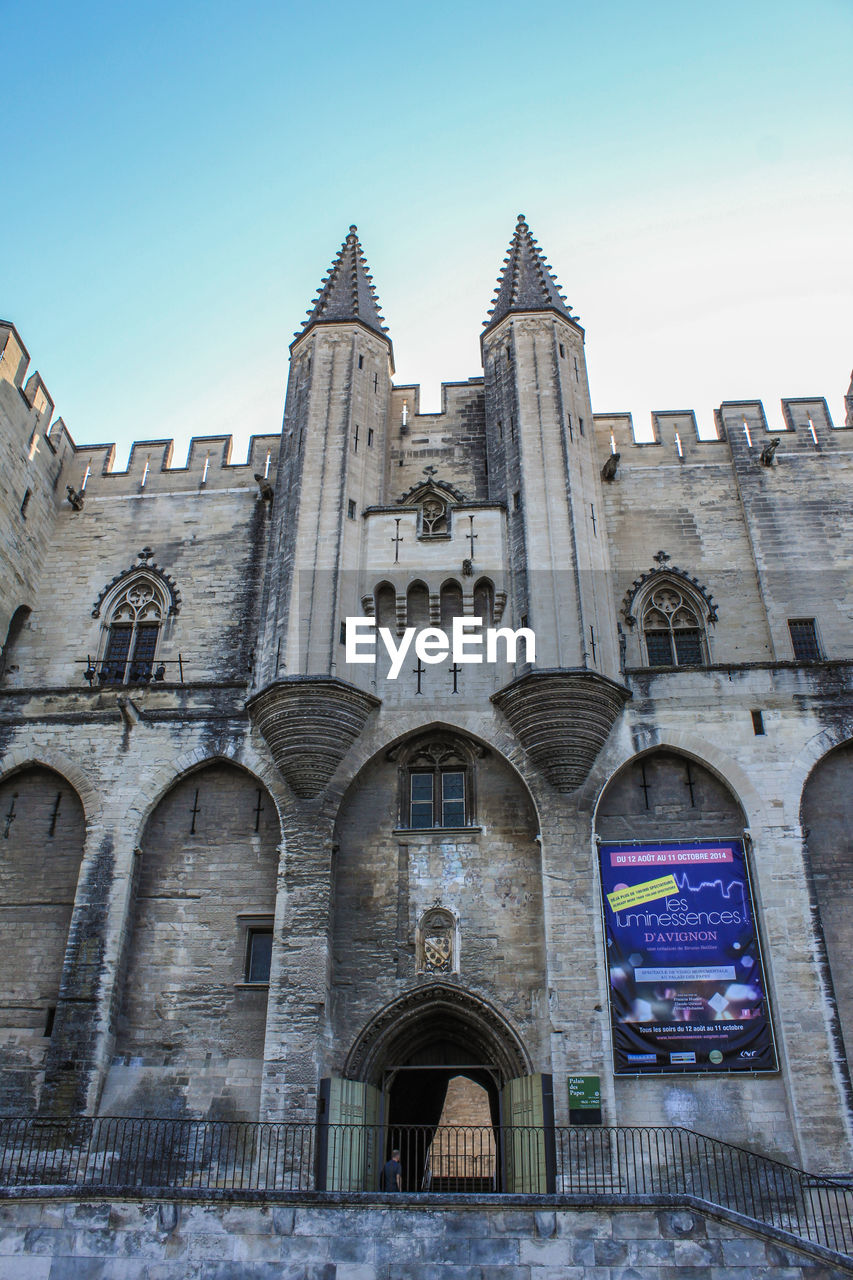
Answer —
349 1136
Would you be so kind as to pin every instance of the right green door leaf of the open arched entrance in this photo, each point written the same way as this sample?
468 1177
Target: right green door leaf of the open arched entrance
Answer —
528 1137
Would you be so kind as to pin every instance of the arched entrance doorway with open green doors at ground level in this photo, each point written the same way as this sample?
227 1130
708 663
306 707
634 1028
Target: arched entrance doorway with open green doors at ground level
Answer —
439 1041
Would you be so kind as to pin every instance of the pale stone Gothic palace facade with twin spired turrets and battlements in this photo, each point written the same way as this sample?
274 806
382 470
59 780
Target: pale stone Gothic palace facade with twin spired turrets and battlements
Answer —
235 863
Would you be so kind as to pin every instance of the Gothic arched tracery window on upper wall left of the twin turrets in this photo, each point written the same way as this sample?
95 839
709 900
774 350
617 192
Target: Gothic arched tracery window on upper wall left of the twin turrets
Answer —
134 621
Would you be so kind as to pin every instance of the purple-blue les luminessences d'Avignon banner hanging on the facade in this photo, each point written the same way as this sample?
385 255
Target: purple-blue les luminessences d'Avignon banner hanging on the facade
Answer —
687 988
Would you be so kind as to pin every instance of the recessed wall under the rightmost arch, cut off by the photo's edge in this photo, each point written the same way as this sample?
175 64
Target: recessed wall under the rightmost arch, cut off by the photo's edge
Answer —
827 816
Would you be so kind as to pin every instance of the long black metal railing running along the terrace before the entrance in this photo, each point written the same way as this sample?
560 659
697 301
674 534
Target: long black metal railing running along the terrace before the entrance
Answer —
144 1156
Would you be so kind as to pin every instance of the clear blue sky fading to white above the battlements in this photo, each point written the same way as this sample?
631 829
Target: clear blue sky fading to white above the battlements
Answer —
177 179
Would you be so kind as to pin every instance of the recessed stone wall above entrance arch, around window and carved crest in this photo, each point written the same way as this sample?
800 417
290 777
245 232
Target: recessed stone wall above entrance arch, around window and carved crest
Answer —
387 877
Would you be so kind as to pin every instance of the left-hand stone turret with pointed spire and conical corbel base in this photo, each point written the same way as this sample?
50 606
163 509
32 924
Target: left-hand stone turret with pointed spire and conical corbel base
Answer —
337 404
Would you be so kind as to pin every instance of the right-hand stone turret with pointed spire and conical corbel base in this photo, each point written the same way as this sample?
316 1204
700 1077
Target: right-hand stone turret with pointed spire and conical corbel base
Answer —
542 465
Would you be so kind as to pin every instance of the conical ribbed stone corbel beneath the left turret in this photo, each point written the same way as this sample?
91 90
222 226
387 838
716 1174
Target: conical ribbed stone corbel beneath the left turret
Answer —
309 724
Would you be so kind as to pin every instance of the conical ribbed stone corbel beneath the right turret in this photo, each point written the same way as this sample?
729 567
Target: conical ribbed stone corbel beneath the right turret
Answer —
563 719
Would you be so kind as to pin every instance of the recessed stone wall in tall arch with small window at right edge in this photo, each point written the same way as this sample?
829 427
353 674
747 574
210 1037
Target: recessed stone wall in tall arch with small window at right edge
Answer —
191 1030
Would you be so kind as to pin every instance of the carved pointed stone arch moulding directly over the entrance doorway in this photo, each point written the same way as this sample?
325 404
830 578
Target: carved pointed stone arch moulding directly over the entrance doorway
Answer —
407 1027
